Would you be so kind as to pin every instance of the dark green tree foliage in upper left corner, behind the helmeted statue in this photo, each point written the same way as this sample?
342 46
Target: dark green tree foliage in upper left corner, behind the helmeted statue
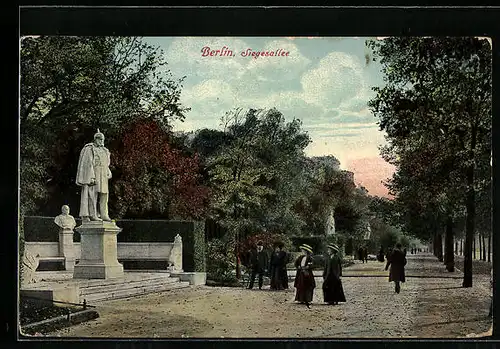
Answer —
70 86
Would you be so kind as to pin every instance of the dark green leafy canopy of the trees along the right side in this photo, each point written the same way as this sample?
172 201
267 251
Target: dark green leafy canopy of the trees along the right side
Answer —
436 111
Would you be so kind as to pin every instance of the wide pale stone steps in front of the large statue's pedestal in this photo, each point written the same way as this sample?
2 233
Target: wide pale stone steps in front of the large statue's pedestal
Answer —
130 289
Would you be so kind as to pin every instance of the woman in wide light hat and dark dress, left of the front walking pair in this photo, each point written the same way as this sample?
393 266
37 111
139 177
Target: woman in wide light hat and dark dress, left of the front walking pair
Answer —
304 278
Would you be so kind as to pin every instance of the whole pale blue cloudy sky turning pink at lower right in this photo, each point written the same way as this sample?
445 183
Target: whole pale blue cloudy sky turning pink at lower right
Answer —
324 82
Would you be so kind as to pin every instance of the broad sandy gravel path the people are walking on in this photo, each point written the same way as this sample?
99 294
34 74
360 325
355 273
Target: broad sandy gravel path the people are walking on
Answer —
432 303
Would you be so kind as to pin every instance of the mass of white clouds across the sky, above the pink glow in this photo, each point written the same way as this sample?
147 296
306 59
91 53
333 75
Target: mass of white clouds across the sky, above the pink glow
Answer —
330 98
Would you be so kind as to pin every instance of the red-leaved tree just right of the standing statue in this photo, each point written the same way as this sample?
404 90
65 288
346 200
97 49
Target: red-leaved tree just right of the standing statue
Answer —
155 180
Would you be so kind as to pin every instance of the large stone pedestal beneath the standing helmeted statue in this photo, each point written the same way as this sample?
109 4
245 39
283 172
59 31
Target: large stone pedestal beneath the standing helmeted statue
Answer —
98 258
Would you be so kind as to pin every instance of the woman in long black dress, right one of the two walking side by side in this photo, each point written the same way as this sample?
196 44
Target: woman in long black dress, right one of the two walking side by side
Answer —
333 292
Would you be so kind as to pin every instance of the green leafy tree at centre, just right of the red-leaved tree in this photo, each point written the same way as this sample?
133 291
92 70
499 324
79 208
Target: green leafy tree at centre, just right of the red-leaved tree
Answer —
253 188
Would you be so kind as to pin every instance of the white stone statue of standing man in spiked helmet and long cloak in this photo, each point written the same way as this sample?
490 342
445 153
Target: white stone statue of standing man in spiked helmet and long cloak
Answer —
92 175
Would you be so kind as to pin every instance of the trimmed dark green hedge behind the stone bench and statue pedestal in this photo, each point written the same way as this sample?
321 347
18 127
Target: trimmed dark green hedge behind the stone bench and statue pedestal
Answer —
43 229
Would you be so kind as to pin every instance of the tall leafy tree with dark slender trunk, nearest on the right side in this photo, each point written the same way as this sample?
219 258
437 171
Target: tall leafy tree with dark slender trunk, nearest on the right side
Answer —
438 93
